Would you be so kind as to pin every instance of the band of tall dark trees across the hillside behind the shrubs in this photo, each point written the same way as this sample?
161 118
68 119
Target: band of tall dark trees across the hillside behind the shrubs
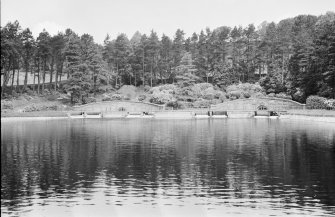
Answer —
294 57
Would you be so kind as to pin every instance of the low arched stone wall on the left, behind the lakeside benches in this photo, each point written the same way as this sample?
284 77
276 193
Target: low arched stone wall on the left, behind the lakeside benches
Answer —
113 106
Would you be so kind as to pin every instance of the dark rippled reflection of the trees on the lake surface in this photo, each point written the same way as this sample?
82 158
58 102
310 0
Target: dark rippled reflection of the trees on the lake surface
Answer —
243 155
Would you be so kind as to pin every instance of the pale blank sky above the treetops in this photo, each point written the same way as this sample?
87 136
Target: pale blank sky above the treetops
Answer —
99 17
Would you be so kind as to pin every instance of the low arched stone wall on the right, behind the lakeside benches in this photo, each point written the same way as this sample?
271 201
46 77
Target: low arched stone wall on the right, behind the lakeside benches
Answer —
253 104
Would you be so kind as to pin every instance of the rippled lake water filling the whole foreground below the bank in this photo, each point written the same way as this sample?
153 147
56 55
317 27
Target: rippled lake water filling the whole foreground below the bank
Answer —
231 167
